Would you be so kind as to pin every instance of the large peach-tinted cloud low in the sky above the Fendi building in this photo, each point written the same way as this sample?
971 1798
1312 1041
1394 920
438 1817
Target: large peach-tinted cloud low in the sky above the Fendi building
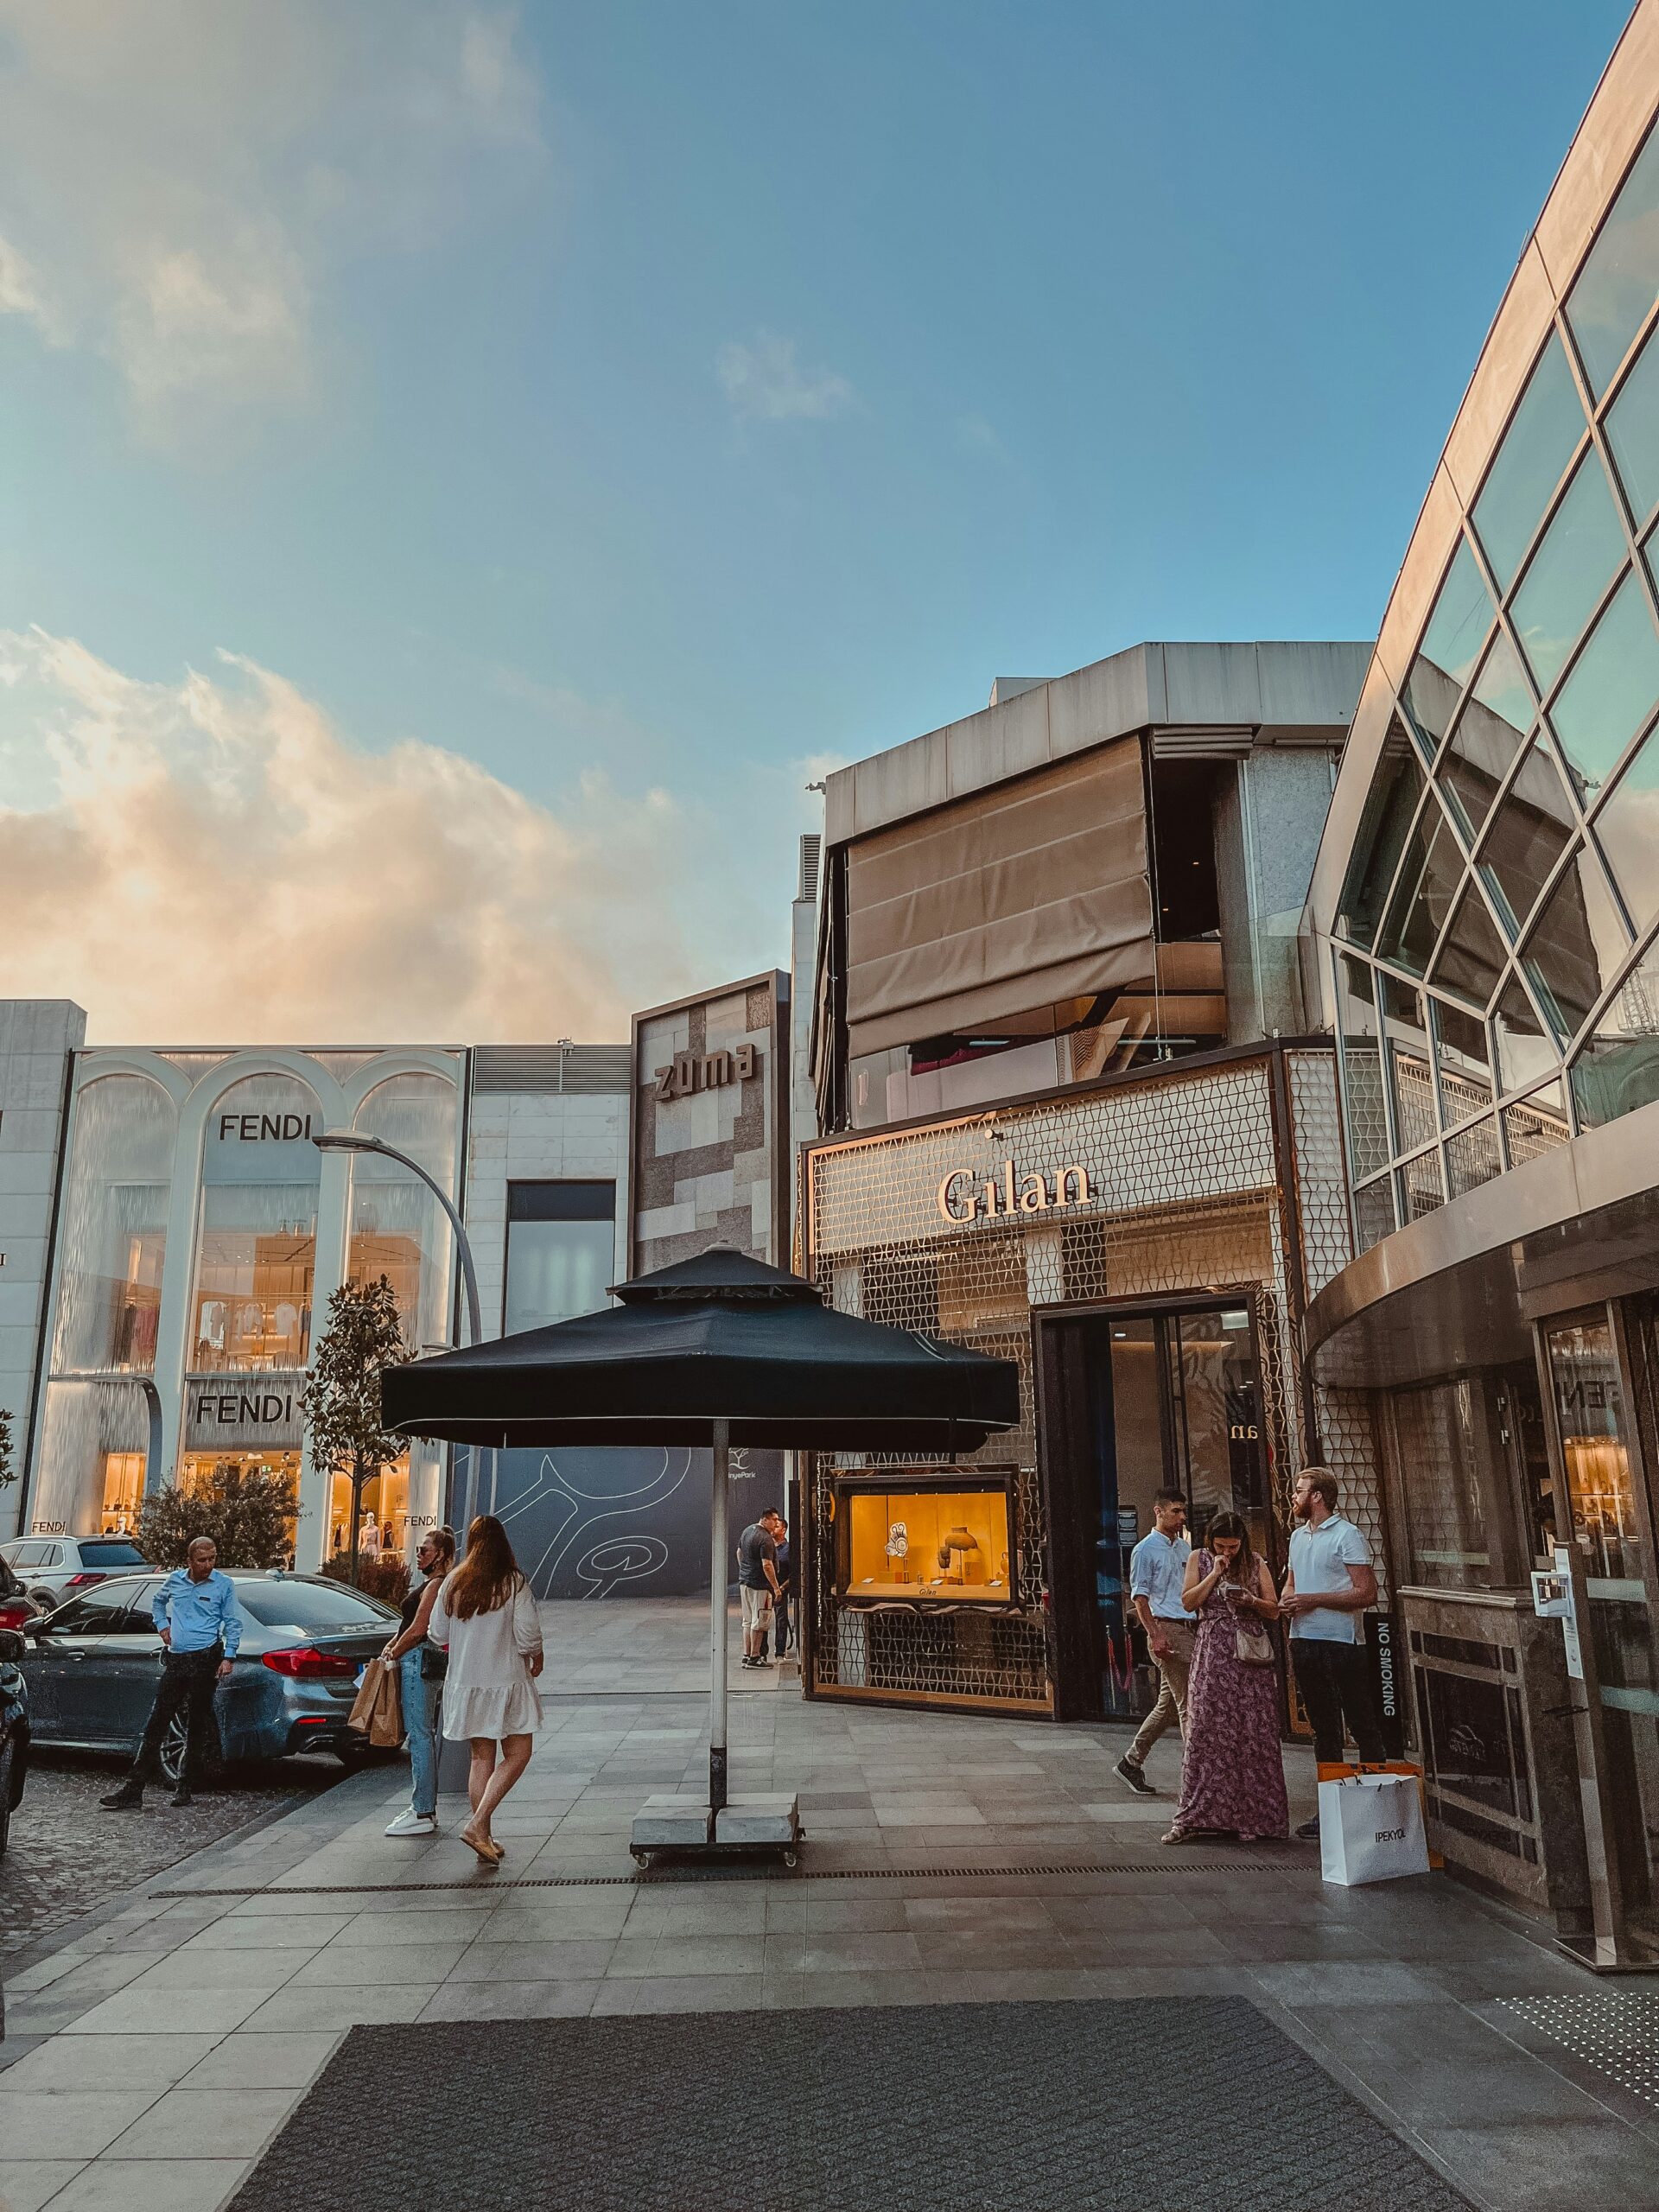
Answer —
216 859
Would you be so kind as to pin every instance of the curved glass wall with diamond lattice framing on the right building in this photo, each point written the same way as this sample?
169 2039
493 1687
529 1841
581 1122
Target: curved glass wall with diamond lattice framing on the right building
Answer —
1499 932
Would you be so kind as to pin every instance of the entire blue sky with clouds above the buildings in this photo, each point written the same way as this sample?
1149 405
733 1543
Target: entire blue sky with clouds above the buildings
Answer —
649 404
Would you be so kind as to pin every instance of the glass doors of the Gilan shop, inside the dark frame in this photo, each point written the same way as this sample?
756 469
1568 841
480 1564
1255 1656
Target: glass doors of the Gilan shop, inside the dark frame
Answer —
1176 1406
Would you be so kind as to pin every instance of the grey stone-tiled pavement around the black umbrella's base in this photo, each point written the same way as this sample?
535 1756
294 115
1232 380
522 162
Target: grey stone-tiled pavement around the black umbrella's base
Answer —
156 2054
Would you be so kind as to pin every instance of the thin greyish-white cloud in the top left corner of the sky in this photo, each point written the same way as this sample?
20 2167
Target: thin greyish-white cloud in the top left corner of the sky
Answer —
187 185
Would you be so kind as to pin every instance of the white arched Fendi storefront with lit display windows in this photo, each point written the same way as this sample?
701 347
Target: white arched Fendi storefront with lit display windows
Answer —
200 1235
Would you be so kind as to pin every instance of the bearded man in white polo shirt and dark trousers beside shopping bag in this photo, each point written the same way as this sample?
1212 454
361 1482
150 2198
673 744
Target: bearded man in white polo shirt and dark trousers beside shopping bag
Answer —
1328 1589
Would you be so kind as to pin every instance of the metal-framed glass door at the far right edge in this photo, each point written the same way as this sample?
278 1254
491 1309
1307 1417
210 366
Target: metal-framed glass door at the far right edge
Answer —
1611 1532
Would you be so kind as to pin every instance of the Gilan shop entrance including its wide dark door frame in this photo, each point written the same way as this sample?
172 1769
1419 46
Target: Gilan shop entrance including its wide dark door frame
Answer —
1145 1399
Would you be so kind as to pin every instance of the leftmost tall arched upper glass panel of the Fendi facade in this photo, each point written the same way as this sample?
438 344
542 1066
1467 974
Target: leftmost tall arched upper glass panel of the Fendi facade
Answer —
114 1227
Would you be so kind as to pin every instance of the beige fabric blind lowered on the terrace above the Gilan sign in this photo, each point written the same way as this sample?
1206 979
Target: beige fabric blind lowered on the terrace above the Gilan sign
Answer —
1014 899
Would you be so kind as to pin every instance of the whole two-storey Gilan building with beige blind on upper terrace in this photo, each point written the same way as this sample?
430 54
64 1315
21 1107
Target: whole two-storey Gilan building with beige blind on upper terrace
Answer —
1125 1182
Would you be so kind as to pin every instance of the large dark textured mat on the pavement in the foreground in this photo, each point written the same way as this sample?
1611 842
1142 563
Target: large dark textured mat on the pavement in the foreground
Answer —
1160 2107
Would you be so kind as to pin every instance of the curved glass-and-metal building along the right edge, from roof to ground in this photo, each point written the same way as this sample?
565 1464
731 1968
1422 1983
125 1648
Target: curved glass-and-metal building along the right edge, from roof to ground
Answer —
1483 943
